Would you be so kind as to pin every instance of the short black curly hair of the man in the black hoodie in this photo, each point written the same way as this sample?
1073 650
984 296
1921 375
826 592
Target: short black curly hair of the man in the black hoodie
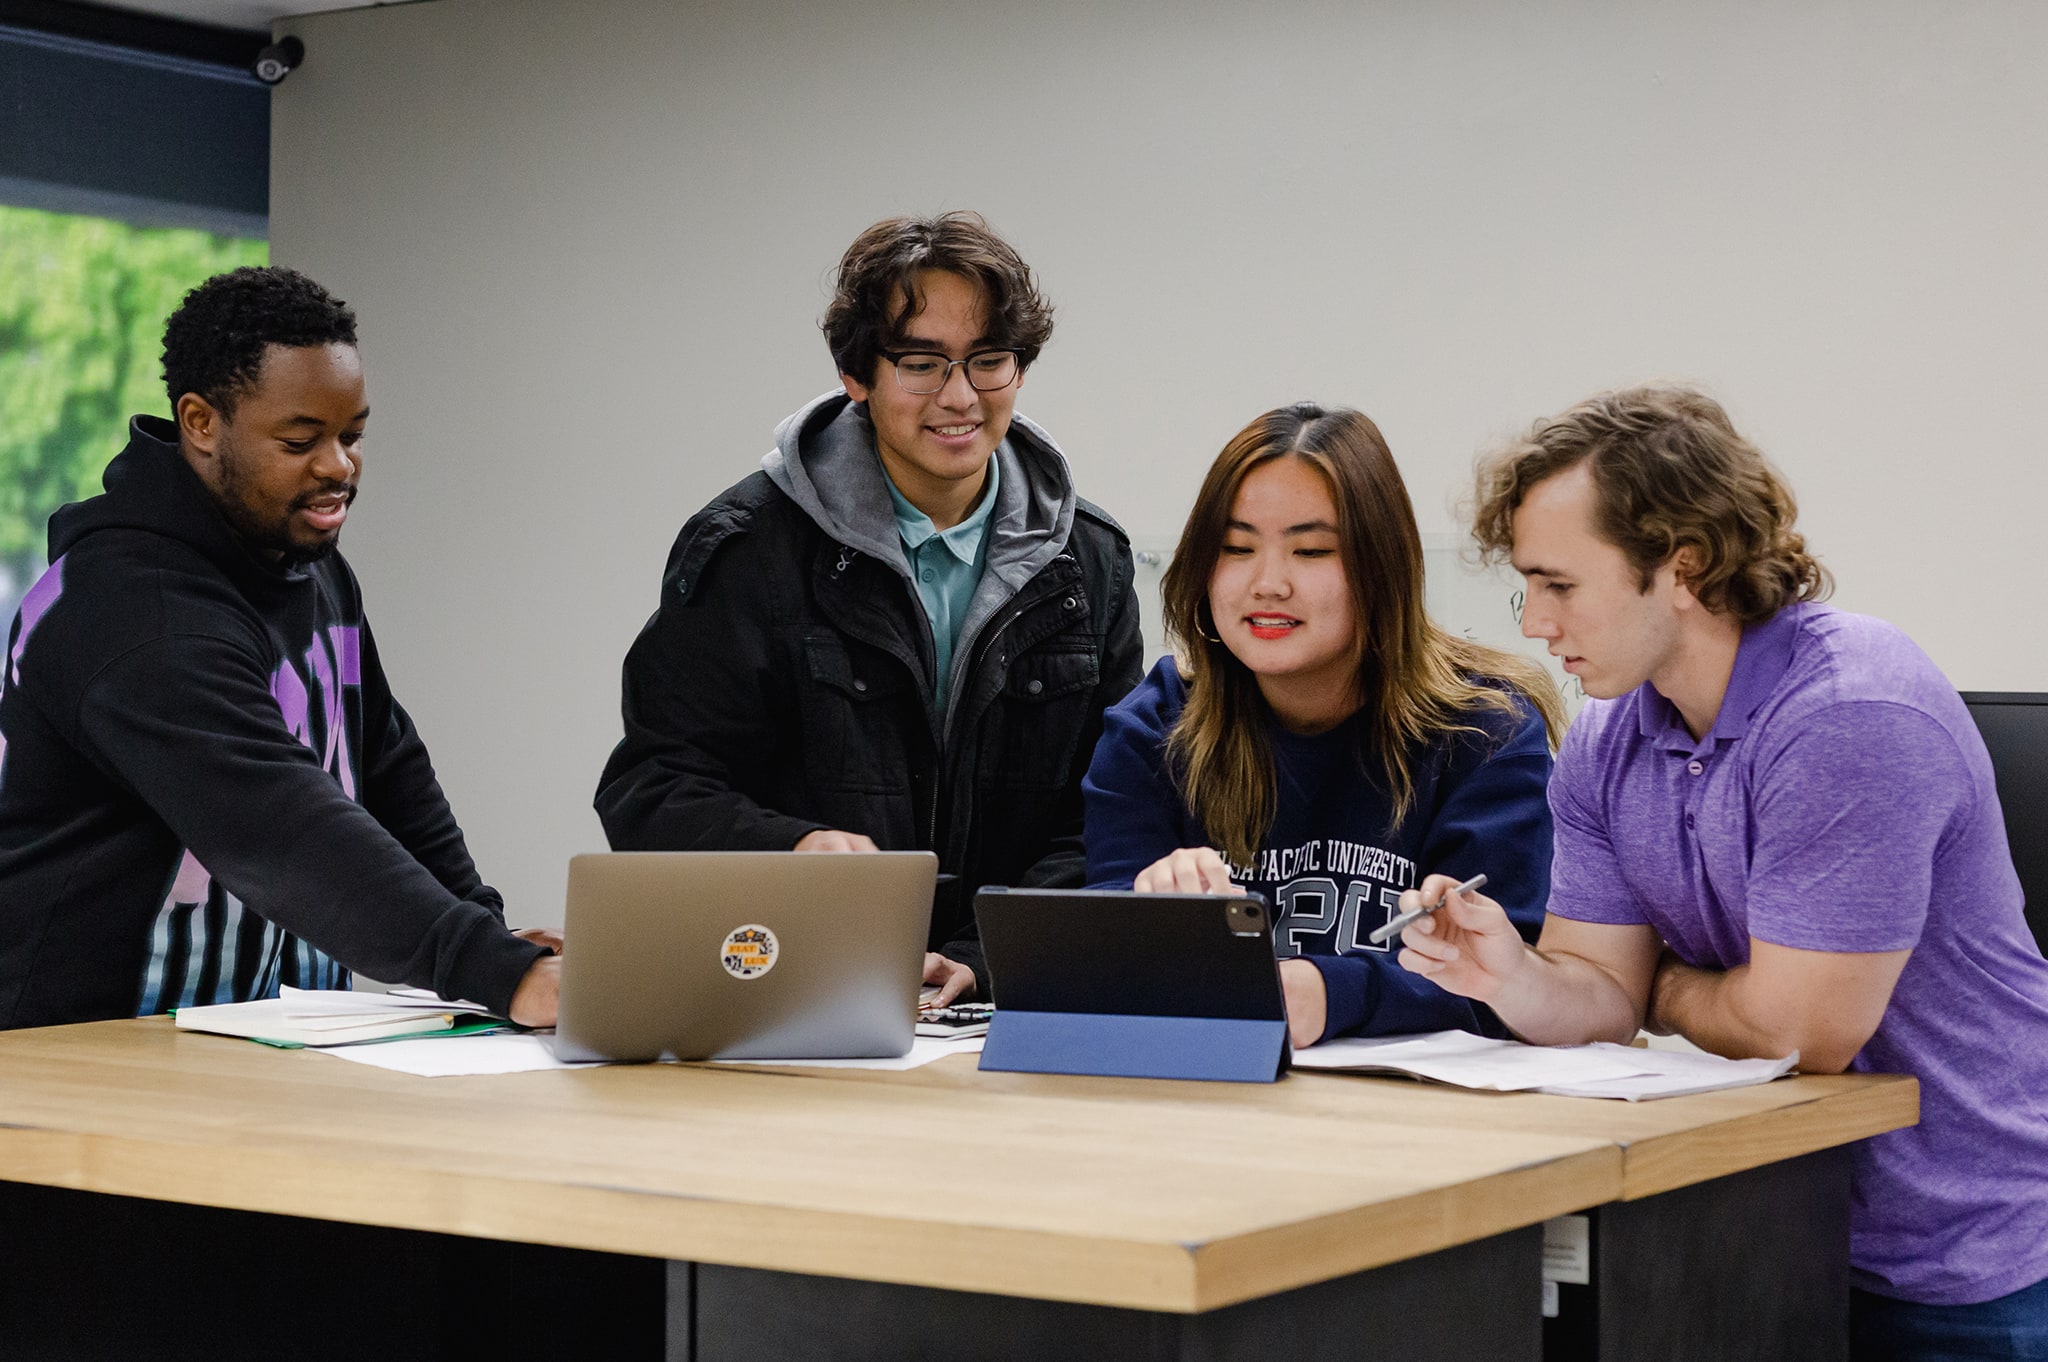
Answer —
214 343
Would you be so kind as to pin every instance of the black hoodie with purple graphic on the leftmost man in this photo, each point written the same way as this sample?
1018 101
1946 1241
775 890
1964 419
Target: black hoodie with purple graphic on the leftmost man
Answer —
206 785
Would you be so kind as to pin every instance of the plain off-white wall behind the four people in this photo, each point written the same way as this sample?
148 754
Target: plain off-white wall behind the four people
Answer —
591 243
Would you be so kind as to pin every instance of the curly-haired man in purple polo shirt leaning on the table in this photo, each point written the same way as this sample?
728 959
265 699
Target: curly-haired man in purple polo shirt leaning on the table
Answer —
1777 831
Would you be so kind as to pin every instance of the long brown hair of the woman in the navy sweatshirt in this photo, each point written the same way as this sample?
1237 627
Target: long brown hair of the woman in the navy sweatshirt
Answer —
1414 679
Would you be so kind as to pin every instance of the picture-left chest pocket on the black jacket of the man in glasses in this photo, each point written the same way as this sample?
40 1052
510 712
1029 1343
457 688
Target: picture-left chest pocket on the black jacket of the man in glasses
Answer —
853 720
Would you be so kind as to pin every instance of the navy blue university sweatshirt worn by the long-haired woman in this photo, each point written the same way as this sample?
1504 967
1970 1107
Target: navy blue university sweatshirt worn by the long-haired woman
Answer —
1334 865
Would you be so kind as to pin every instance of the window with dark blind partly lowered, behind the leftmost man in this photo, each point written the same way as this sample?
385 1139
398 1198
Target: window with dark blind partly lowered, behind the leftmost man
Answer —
134 163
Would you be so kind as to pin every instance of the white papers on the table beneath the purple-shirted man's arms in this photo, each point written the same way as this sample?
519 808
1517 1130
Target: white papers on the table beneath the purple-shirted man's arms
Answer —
1574 1072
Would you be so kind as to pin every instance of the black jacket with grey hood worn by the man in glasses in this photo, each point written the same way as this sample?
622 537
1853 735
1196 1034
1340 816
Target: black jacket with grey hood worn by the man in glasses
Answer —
785 683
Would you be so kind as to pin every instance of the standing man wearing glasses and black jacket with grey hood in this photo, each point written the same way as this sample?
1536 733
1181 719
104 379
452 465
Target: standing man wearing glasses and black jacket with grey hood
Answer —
904 630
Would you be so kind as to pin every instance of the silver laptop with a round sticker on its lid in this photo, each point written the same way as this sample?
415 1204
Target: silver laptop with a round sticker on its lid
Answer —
744 955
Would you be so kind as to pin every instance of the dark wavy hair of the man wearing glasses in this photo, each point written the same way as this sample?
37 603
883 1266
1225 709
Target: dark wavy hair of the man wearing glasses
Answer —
878 288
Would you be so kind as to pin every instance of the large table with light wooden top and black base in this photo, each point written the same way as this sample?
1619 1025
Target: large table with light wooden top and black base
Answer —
855 1214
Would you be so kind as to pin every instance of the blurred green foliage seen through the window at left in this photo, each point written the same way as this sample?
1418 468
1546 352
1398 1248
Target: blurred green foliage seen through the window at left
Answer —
83 308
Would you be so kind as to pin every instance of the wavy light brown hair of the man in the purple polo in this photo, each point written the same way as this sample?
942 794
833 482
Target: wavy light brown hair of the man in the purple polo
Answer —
1672 474
